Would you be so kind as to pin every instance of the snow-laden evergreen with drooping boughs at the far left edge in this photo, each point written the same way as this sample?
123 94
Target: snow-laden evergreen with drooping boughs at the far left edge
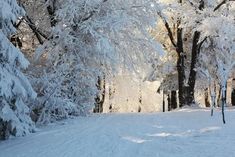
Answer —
14 86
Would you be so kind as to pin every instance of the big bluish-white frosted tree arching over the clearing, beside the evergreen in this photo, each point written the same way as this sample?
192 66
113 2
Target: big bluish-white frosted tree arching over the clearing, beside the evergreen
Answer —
93 38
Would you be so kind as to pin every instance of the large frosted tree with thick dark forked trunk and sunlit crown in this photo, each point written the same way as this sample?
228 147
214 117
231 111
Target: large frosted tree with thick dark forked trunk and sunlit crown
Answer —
181 36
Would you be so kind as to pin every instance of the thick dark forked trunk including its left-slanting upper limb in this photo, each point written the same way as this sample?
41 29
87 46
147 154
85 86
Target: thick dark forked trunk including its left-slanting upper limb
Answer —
186 92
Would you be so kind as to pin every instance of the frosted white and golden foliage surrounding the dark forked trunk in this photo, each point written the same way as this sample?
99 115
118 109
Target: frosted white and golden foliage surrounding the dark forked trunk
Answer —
216 27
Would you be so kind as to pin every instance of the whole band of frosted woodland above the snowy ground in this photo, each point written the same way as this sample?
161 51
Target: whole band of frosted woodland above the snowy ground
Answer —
57 57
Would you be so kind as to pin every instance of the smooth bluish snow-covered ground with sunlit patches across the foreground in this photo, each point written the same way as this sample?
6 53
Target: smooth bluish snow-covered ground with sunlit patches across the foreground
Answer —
184 133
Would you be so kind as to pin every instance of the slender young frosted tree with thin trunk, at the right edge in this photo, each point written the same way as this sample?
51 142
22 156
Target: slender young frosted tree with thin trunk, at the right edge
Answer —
219 51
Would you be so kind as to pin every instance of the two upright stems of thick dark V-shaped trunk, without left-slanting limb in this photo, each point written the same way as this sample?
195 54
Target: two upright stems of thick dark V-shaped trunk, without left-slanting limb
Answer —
186 93
